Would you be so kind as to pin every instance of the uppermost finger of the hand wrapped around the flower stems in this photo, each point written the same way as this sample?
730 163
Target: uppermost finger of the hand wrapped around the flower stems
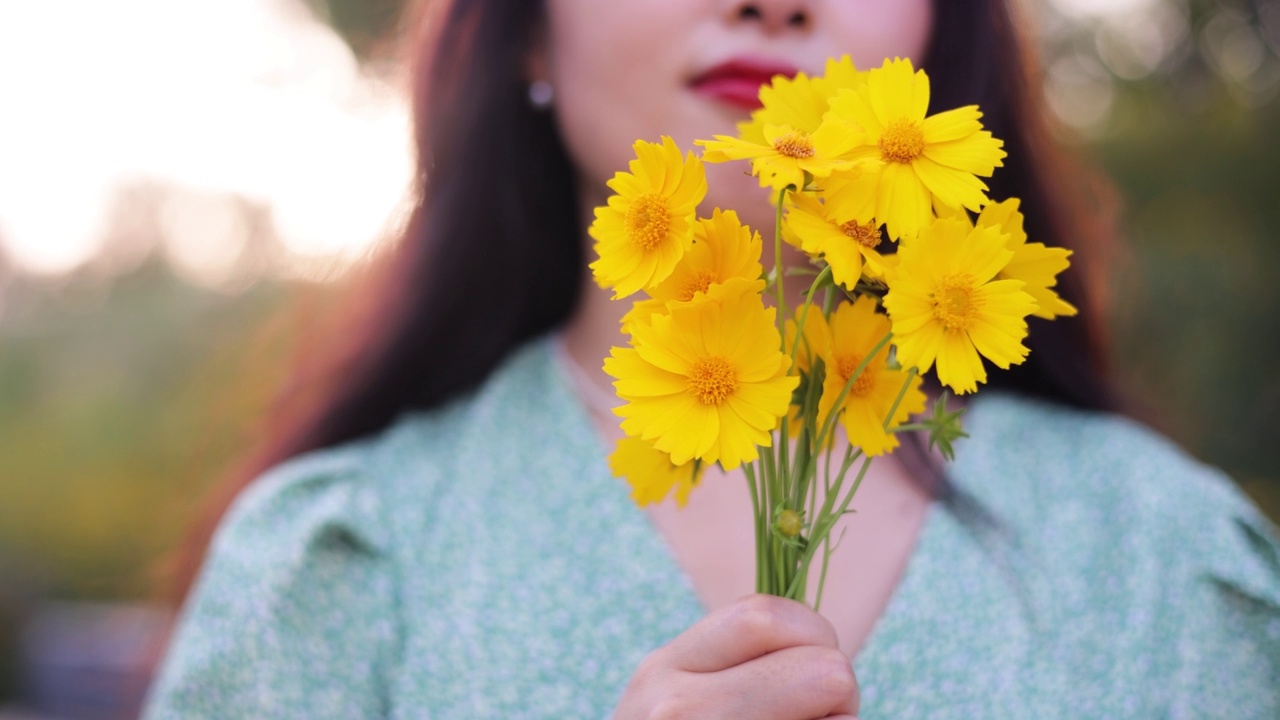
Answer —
746 631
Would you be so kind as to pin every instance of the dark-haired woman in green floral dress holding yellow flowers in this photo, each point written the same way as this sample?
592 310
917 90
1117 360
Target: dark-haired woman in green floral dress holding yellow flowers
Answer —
441 536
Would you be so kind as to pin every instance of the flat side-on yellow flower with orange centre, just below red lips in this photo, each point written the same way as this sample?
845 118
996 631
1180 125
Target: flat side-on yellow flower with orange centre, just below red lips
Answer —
787 154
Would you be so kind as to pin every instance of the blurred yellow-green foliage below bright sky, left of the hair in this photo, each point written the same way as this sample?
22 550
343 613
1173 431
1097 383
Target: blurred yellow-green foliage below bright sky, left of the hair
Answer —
117 417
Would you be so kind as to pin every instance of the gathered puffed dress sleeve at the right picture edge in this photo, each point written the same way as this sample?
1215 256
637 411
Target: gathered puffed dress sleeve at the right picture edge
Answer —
1229 653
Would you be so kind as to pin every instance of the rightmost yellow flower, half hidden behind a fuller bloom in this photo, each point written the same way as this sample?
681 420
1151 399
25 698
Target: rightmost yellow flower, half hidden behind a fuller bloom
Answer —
1035 263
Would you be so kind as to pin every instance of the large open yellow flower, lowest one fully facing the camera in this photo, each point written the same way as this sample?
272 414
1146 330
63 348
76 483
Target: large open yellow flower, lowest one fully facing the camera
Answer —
707 380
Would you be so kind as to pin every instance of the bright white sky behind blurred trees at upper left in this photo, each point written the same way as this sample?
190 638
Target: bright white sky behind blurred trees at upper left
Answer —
250 99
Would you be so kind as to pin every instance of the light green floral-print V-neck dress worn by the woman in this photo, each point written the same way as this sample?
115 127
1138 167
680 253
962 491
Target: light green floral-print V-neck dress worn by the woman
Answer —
479 562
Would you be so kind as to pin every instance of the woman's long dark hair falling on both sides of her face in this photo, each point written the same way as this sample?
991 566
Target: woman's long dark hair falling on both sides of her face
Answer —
499 199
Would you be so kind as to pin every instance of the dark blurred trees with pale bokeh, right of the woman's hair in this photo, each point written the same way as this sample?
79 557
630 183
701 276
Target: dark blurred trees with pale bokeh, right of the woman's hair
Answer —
1180 101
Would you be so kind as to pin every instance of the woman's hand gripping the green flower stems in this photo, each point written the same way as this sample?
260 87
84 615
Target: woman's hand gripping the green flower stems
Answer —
761 658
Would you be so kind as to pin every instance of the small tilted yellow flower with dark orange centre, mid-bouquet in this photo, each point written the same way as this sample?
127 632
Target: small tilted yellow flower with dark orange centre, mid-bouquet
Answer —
845 244
